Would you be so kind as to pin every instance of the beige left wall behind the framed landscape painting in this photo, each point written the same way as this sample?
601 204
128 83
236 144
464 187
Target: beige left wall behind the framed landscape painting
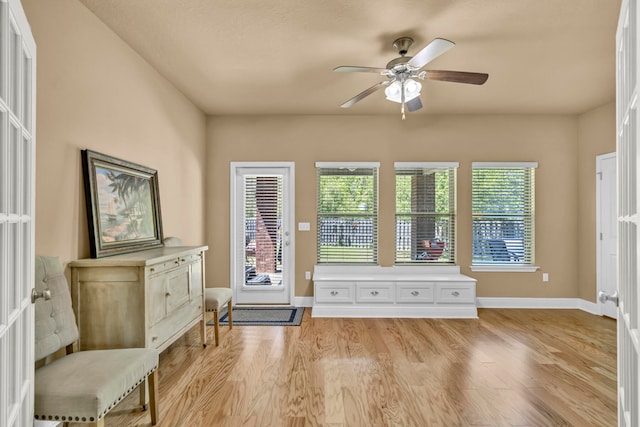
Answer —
95 92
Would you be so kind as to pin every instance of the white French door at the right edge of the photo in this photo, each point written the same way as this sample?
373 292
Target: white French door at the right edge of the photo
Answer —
627 147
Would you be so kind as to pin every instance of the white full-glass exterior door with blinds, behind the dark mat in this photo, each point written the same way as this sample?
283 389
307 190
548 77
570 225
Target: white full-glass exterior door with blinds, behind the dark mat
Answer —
262 237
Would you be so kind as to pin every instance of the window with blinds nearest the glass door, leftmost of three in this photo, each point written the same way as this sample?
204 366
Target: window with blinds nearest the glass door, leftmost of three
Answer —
347 212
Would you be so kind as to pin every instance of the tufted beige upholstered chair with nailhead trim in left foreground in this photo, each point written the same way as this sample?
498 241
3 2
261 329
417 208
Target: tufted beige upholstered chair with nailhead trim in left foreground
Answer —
81 387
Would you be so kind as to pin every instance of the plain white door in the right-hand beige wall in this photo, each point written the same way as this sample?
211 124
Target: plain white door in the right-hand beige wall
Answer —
607 231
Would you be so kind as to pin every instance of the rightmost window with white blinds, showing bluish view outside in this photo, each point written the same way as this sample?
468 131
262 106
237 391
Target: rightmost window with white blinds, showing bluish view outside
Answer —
503 213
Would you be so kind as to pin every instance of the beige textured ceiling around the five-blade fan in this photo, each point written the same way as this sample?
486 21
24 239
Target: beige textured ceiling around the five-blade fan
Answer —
276 57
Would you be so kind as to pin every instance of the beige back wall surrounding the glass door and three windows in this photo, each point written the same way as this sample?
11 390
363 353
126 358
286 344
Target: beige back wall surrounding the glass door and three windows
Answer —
550 140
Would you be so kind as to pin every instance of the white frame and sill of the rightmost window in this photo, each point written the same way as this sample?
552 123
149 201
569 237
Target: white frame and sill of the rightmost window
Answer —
528 246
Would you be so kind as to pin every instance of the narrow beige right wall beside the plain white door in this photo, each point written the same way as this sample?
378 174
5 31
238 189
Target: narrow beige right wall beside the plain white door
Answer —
597 135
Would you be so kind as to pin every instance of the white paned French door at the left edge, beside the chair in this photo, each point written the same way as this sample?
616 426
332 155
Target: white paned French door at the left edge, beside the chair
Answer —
17 184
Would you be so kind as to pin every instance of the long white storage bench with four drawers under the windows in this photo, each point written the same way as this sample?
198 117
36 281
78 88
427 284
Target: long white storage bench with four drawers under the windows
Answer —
397 291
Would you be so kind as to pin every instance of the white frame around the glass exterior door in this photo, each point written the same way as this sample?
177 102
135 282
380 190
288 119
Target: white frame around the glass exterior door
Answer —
237 248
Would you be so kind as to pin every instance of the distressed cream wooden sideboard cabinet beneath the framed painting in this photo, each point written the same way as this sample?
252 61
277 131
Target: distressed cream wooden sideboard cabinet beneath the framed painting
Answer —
142 299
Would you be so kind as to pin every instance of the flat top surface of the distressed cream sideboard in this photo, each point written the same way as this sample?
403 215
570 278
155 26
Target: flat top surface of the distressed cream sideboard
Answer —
141 258
